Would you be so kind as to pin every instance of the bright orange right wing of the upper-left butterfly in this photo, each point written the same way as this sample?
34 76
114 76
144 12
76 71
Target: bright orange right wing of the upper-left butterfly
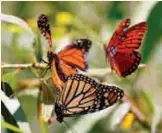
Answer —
74 56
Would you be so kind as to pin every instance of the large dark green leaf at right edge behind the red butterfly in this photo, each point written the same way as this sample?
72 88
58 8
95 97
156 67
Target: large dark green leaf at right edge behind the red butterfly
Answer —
154 32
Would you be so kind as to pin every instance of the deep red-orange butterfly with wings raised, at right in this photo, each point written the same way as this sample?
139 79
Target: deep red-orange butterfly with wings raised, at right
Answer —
121 50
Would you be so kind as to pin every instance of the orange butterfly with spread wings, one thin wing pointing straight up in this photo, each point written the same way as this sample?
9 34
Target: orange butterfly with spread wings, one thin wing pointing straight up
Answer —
67 61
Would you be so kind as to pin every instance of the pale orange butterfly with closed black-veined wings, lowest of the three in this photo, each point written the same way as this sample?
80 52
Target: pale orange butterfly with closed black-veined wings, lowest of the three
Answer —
82 95
